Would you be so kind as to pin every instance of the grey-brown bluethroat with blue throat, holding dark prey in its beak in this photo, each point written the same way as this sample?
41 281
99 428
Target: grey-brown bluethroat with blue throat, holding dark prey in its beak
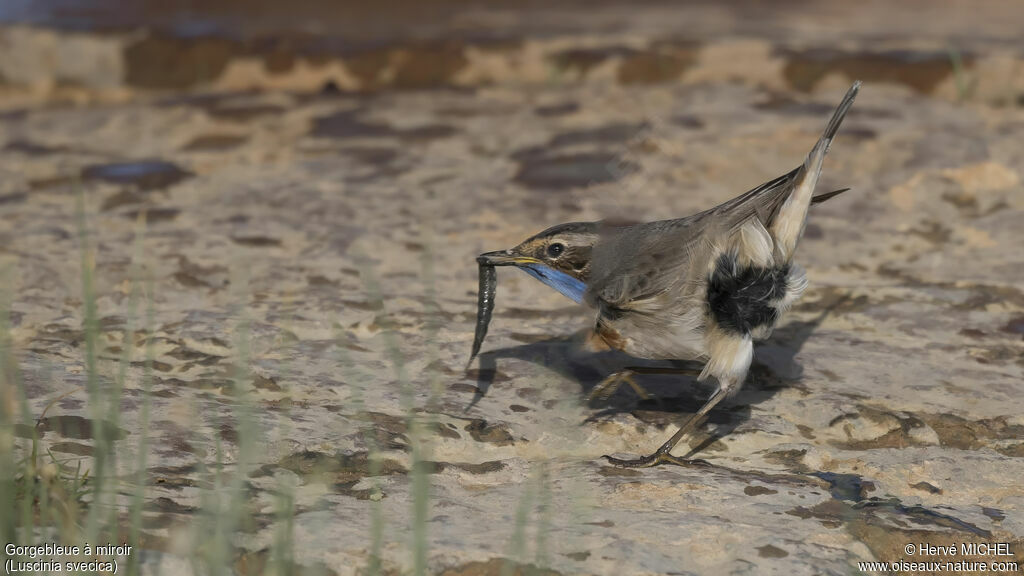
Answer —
704 287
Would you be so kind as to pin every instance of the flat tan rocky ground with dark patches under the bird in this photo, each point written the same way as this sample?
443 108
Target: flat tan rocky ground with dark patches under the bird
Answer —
311 226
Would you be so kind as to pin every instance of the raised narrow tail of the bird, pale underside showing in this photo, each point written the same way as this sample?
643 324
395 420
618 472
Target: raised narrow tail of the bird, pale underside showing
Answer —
788 226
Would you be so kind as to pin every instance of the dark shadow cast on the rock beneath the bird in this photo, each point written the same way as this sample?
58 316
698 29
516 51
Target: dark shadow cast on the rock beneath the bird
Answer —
775 368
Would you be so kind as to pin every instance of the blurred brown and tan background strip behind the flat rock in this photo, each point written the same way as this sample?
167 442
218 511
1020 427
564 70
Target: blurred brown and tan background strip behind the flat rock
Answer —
111 47
